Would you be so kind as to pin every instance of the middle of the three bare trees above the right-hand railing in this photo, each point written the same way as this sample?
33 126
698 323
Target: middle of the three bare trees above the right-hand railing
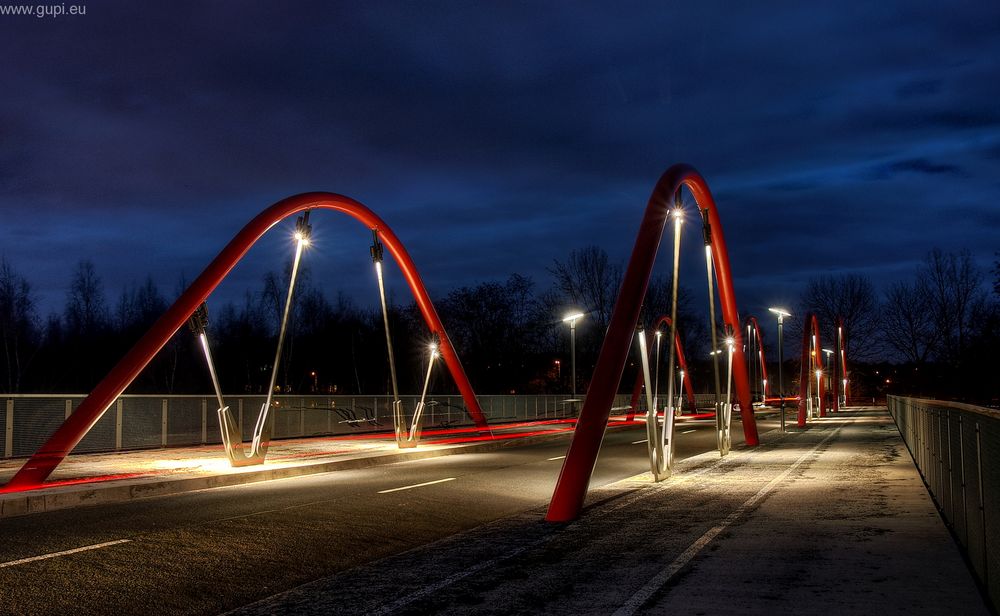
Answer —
908 322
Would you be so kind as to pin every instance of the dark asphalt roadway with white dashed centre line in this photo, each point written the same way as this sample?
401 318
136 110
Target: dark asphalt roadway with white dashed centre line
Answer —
212 551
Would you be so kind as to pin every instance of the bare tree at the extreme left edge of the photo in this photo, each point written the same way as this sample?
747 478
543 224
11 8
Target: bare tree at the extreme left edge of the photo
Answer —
18 332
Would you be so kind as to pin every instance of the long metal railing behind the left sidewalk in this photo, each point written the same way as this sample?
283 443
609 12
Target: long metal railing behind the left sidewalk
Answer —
152 421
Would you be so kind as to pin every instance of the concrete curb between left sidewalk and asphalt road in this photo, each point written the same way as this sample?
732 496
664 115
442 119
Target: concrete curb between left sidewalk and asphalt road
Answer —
67 497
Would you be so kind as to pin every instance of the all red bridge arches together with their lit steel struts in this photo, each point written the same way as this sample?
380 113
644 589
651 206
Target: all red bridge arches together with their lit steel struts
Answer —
739 365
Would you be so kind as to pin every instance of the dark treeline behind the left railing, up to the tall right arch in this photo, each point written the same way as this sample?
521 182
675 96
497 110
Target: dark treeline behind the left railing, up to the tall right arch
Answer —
509 335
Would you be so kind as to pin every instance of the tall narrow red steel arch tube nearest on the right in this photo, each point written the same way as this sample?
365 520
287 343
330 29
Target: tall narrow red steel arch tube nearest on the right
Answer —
574 479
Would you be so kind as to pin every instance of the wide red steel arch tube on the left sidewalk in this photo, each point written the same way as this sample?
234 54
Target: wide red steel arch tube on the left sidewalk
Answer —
69 434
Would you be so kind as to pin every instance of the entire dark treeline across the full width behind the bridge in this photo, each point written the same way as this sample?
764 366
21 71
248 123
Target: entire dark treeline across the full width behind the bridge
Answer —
932 335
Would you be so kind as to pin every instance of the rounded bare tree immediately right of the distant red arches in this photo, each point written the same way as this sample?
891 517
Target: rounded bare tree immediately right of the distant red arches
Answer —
851 297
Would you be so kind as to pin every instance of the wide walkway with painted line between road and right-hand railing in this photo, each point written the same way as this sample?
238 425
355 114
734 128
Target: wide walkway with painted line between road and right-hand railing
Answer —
831 519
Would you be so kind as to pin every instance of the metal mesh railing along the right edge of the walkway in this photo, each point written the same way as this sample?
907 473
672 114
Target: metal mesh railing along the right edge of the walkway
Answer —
956 448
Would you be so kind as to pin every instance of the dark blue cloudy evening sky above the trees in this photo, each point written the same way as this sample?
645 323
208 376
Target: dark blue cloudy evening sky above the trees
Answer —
495 137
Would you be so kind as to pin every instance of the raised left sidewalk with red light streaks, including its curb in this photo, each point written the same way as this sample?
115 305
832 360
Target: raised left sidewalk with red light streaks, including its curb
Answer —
90 479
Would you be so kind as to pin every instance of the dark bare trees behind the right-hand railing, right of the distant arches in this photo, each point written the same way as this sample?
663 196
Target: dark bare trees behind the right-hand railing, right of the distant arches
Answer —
934 334
